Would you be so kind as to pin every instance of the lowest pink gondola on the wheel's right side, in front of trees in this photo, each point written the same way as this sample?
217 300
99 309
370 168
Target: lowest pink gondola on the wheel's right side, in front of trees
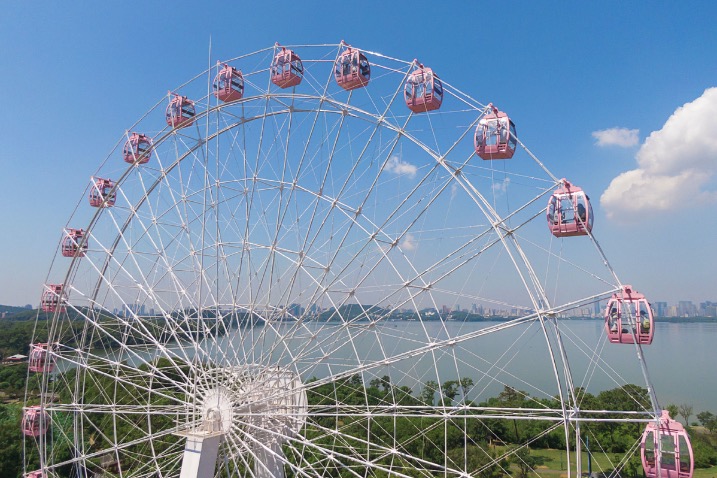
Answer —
675 449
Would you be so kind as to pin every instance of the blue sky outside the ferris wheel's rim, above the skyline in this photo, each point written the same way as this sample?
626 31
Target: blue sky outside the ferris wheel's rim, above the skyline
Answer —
75 76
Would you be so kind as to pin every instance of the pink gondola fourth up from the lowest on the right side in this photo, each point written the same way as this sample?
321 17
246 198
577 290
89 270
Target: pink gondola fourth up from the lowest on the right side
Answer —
495 136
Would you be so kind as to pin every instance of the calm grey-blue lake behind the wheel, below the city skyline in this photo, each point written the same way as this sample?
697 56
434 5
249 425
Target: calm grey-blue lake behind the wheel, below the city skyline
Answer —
680 359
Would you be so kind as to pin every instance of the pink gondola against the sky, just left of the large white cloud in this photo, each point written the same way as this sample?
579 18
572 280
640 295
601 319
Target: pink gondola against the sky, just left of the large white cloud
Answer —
569 212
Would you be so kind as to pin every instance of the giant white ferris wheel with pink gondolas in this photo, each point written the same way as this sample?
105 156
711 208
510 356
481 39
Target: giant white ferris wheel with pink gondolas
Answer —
318 260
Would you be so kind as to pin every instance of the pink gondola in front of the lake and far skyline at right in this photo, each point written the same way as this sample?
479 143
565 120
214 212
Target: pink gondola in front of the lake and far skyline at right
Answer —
629 317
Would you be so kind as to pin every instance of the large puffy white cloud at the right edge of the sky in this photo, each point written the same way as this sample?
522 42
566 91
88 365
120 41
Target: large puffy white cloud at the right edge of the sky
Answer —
676 165
